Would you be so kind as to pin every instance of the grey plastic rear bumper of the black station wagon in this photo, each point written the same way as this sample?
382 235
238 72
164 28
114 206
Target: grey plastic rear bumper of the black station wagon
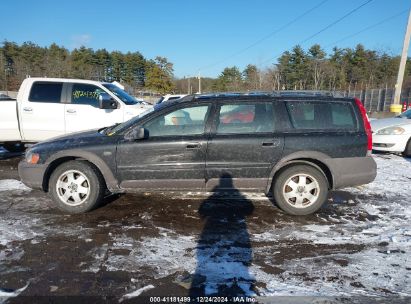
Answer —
352 171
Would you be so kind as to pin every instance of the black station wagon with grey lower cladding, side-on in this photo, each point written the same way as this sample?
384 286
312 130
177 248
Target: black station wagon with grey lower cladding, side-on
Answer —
293 147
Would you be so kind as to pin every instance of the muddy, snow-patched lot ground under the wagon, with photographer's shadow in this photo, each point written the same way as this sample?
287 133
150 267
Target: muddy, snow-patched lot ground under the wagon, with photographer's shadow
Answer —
137 246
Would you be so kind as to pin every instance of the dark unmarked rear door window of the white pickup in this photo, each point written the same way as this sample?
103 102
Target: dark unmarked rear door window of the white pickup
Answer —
46 92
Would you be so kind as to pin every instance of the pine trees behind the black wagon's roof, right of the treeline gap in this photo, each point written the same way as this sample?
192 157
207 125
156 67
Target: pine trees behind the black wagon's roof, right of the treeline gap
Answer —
314 69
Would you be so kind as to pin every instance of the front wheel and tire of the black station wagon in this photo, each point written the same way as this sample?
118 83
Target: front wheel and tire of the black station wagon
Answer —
76 187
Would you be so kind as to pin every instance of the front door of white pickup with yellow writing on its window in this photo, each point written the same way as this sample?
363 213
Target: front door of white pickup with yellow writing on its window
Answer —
83 112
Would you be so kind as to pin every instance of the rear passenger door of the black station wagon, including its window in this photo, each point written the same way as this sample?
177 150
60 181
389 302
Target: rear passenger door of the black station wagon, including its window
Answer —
243 146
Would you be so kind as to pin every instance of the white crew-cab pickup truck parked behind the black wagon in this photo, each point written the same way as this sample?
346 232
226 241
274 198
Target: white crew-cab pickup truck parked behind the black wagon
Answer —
49 107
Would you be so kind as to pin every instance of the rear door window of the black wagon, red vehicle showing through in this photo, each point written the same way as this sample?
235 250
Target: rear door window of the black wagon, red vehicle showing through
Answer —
245 118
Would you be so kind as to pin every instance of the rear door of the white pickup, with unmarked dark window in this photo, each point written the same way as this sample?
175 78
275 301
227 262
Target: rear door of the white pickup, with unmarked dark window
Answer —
41 111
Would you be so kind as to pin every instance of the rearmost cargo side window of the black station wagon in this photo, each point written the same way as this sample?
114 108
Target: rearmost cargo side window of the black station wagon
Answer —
322 115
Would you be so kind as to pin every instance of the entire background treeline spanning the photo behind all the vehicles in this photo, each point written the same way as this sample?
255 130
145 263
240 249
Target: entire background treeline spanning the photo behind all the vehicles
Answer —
312 69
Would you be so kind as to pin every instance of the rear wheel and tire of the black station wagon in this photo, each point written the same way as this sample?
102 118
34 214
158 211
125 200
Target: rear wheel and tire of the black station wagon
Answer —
300 190
